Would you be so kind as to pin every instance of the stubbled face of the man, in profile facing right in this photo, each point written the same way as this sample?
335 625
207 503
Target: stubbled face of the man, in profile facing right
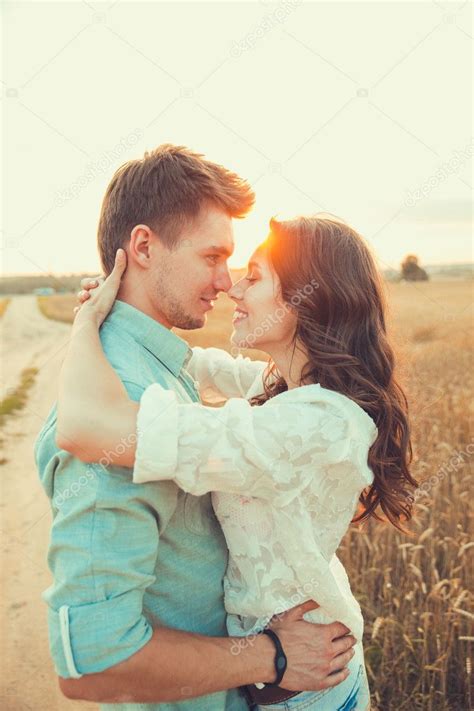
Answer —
185 280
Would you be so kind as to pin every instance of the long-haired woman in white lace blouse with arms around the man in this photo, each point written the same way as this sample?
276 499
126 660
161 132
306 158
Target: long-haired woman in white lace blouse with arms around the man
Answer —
294 451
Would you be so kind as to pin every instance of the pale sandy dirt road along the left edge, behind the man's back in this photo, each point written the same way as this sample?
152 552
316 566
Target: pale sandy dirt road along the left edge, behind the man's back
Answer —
28 679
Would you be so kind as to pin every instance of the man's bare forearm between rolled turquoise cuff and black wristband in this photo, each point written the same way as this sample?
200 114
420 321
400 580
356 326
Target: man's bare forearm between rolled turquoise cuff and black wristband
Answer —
176 665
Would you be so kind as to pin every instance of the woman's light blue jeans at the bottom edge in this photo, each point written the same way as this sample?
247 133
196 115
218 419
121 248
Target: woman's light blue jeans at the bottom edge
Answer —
352 694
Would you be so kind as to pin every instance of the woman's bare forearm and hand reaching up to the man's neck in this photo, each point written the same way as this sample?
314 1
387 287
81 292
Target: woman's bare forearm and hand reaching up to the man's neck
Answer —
95 414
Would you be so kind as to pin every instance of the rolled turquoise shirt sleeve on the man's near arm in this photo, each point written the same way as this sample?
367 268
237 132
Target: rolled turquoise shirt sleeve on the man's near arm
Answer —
102 555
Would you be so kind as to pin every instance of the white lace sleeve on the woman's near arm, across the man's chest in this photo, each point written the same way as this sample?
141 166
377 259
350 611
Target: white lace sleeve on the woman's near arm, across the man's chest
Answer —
270 451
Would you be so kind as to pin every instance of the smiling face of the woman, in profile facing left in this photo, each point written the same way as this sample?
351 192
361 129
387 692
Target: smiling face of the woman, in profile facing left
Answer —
261 319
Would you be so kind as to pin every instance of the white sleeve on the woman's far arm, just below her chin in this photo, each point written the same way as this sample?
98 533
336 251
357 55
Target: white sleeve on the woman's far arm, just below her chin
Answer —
221 376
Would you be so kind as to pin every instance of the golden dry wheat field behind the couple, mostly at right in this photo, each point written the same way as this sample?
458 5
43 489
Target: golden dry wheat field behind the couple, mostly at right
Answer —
415 591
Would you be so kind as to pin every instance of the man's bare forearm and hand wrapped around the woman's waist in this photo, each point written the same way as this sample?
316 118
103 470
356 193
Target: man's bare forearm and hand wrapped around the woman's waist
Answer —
176 665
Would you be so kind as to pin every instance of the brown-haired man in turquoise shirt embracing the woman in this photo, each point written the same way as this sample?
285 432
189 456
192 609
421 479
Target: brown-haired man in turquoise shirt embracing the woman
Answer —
136 612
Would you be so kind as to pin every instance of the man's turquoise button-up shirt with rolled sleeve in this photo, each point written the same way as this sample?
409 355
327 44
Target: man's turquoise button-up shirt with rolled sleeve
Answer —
128 558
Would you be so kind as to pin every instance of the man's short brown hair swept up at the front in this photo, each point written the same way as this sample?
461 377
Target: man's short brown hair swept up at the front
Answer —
166 190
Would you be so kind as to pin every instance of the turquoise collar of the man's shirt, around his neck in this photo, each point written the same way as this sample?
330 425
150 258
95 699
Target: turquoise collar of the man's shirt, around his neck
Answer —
165 345
